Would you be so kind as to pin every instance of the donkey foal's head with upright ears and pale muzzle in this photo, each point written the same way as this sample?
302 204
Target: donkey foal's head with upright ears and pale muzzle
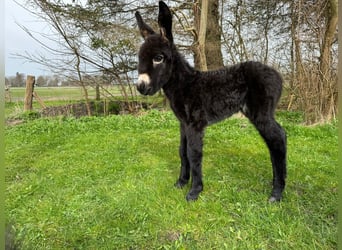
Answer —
155 55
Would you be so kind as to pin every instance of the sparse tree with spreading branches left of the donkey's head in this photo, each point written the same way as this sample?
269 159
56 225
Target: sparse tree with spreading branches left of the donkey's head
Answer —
93 39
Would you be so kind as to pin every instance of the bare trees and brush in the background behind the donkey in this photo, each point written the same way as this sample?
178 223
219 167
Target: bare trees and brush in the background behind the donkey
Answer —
97 43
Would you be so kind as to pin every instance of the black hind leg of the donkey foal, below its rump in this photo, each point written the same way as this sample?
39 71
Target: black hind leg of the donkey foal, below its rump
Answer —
275 137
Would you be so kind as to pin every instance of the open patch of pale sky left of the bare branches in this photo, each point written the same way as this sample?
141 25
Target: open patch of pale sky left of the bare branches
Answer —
19 42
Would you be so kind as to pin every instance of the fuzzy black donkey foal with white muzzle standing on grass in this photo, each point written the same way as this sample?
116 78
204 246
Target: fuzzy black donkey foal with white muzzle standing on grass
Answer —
199 99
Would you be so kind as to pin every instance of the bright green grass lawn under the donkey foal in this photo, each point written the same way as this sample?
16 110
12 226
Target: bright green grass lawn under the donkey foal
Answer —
107 183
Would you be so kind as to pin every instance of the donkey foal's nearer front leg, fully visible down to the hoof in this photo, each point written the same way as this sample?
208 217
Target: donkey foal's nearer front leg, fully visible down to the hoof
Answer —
194 152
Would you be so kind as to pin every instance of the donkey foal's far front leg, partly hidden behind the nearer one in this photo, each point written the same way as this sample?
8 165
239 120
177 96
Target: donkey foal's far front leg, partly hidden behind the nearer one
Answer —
184 175
